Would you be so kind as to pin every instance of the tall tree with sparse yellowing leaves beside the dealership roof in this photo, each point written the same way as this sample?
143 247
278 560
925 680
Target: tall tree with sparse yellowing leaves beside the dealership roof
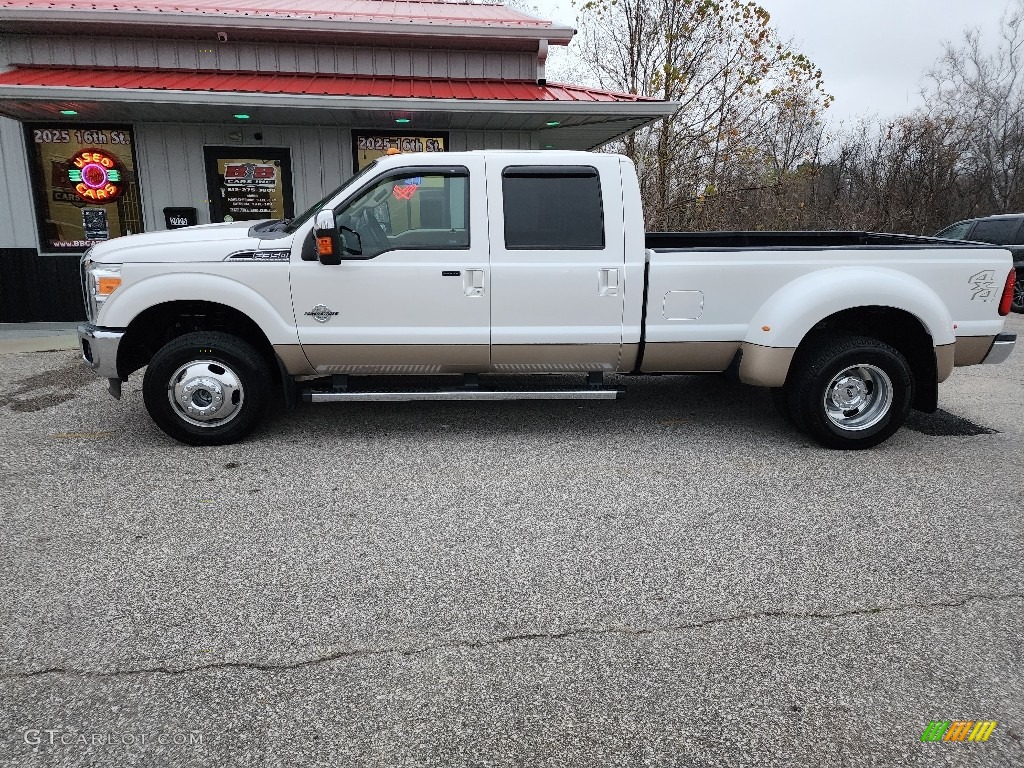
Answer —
740 91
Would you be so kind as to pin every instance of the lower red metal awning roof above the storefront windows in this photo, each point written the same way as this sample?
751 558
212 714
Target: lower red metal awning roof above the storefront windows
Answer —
305 84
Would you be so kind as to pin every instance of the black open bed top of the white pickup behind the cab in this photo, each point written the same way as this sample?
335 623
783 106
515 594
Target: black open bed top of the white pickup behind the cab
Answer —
749 240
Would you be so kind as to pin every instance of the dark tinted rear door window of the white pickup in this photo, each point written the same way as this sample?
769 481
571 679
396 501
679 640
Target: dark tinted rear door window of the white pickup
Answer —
553 207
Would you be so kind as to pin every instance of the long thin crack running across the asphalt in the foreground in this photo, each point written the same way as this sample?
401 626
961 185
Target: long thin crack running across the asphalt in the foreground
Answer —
525 637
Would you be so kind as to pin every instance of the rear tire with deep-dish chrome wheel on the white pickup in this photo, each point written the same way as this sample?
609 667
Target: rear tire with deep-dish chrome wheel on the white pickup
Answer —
850 393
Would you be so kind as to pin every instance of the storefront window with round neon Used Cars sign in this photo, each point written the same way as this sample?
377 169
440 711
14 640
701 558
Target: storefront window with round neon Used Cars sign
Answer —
84 185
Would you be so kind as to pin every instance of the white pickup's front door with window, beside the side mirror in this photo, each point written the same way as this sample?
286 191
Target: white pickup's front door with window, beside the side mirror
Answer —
418 301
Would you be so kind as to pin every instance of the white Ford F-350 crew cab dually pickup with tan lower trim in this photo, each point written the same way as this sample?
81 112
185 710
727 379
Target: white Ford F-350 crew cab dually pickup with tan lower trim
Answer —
517 263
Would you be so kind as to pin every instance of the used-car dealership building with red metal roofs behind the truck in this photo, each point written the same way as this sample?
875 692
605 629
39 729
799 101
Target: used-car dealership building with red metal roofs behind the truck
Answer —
120 118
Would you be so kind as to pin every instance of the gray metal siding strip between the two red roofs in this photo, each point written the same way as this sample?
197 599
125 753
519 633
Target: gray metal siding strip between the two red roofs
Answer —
192 55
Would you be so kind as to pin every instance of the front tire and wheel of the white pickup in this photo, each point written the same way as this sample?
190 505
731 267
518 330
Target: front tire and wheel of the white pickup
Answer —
206 389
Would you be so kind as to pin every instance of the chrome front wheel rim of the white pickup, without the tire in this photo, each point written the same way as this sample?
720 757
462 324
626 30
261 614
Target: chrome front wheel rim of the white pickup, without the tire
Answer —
205 394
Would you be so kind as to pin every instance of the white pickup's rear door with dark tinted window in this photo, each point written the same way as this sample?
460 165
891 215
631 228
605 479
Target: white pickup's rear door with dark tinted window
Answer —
558 259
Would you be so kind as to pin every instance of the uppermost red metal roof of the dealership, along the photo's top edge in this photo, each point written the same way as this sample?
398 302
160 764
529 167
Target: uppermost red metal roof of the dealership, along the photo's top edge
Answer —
404 12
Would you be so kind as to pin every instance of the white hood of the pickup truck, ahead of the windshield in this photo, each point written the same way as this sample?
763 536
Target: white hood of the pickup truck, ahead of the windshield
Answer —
204 243
